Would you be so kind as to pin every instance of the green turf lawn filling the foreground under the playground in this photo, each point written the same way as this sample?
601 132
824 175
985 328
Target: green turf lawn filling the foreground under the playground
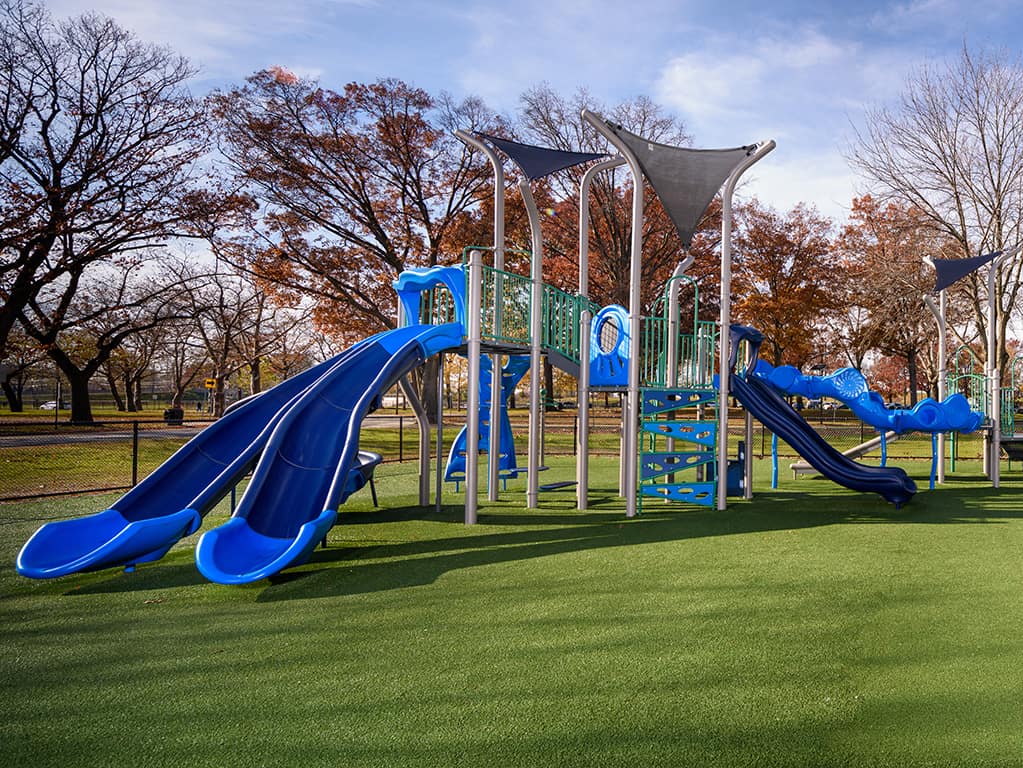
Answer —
810 627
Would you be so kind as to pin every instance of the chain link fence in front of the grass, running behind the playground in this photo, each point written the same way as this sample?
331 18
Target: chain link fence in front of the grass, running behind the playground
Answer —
48 459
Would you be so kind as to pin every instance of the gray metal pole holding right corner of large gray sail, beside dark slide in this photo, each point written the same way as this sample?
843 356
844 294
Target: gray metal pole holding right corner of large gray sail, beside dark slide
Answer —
726 320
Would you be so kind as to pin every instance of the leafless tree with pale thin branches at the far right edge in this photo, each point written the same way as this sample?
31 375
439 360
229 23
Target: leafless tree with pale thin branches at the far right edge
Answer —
953 149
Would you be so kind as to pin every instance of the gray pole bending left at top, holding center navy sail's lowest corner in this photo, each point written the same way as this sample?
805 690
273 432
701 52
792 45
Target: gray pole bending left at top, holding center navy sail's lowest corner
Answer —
536 334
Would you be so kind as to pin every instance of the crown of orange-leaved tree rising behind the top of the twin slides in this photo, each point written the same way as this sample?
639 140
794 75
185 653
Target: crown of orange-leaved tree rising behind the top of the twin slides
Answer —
352 188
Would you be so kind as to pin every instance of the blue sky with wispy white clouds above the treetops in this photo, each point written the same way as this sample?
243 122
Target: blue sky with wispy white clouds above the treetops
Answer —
802 72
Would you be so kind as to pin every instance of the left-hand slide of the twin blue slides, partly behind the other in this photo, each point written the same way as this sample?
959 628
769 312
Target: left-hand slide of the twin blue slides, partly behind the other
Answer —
171 503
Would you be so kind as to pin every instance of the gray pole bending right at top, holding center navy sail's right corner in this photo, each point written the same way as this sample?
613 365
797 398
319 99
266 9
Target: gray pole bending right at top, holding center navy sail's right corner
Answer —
586 322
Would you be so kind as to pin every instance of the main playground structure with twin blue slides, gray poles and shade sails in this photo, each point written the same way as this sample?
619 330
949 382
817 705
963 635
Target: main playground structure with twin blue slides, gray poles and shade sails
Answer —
300 440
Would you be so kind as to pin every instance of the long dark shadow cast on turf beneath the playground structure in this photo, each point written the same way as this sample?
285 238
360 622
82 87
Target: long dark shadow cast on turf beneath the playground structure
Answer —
361 568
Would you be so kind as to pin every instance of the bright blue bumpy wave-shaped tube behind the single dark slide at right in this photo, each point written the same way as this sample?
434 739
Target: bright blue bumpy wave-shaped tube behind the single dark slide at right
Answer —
850 387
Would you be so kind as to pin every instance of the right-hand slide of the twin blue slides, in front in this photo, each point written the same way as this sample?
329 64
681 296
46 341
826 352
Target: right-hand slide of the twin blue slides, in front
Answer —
302 478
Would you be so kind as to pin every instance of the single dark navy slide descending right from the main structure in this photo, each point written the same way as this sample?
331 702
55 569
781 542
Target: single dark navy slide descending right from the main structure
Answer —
772 411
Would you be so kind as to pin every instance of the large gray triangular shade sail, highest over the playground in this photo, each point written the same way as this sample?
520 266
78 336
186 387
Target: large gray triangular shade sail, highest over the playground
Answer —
686 180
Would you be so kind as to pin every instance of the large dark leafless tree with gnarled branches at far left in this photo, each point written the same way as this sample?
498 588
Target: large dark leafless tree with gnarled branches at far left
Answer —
99 138
